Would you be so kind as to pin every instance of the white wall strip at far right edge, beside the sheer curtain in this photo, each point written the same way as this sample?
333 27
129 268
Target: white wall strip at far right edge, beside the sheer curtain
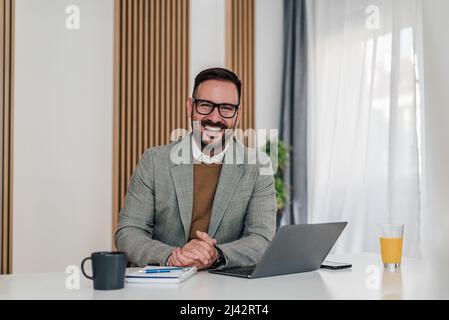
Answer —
436 170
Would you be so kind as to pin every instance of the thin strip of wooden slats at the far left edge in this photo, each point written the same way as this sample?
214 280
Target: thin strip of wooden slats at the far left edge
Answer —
6 121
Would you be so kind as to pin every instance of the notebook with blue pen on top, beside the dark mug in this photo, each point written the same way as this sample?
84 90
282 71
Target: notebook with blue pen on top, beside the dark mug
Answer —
154 274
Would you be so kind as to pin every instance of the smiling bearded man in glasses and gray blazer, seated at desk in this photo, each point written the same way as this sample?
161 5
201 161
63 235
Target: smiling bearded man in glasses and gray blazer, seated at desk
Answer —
210 209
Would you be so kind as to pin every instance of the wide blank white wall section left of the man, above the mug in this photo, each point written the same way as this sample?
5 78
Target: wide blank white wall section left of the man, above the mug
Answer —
62 193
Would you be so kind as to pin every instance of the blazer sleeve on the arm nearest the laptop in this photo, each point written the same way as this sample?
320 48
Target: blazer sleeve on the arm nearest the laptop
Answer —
259 227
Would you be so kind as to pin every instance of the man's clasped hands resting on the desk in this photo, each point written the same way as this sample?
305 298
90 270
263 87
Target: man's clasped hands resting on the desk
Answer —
200 253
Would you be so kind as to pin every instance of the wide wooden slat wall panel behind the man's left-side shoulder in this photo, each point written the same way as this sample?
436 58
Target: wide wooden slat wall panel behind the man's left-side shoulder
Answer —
151 82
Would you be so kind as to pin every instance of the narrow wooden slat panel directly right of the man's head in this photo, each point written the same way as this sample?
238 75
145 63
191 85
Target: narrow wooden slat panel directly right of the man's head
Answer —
240 53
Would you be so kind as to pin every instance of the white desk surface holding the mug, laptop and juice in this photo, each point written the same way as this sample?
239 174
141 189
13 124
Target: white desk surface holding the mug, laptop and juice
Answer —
357 283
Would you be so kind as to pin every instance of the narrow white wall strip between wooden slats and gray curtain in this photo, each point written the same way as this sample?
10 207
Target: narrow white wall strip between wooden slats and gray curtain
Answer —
269 52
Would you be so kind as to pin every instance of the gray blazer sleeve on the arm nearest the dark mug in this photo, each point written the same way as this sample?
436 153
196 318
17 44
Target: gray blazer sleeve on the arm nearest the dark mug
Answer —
136 220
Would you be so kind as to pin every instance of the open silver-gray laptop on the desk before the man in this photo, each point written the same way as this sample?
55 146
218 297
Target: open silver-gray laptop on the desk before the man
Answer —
294 249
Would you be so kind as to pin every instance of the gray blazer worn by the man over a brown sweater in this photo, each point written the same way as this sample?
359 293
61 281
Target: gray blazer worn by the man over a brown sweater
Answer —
157 213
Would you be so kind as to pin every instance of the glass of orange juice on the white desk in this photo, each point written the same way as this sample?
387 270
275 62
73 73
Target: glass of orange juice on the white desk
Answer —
391 236
